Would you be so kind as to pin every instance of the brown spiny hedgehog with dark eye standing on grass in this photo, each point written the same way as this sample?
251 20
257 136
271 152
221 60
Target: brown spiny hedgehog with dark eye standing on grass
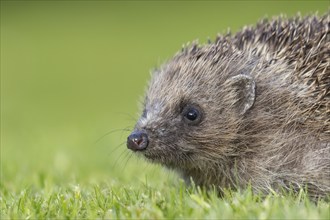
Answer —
250 109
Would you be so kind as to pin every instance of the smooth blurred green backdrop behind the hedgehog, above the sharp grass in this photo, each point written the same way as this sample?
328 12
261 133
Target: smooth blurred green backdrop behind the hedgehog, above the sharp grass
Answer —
73 71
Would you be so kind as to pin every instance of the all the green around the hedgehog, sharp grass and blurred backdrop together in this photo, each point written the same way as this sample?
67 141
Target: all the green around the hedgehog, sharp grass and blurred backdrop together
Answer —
73 71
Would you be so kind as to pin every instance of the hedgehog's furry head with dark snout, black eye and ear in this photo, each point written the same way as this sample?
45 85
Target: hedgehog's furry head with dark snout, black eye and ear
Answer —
194 107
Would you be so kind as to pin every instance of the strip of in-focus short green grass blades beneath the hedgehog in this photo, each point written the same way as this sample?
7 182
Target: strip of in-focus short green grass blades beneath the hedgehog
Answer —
113 200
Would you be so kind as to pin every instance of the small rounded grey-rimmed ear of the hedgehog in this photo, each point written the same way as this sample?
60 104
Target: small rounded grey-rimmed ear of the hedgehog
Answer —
244 87
